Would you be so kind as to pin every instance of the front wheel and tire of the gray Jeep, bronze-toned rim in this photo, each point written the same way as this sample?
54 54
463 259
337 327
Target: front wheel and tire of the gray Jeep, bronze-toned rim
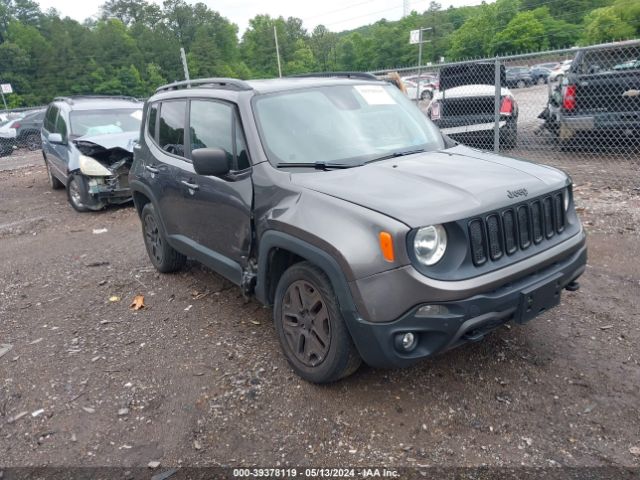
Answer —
325 328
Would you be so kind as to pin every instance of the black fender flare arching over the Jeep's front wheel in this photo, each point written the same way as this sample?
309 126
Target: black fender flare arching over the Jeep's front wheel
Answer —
273 239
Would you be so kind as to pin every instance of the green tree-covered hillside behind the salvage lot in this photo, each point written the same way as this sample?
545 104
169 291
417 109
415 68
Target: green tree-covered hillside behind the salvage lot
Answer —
134 46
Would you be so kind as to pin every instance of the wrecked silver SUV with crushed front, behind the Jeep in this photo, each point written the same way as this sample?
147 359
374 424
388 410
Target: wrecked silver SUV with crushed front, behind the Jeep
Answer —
87 145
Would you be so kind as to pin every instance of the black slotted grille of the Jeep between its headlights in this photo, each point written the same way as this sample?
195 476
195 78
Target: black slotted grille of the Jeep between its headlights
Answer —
516 228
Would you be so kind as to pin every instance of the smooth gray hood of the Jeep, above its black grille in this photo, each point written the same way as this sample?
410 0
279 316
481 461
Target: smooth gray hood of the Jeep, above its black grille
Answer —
435 187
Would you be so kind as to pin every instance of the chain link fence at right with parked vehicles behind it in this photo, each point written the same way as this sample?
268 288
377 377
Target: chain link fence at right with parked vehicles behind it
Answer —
577 109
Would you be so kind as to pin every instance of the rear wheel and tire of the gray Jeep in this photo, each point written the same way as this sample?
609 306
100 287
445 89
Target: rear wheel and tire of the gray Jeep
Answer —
162 255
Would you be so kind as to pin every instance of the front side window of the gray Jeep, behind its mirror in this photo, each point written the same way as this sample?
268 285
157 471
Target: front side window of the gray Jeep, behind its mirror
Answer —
214 125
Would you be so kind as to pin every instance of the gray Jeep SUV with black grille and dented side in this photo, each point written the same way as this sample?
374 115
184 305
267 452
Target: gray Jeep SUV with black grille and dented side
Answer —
337 202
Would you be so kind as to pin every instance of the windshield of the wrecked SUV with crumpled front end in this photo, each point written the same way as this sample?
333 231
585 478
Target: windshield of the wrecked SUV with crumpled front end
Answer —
100 122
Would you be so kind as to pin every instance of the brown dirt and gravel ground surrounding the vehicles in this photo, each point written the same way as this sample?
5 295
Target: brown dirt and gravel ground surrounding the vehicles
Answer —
197 377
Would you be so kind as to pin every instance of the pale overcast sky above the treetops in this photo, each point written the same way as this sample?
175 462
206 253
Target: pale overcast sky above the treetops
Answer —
336 15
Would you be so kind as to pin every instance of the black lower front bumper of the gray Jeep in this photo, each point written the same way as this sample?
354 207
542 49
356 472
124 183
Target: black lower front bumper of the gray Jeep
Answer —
468 319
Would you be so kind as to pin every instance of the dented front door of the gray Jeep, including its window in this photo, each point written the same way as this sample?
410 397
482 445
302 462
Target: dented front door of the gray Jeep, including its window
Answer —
219 209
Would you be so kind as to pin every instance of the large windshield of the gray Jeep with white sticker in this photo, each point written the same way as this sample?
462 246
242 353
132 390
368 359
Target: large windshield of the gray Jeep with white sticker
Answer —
346 124
